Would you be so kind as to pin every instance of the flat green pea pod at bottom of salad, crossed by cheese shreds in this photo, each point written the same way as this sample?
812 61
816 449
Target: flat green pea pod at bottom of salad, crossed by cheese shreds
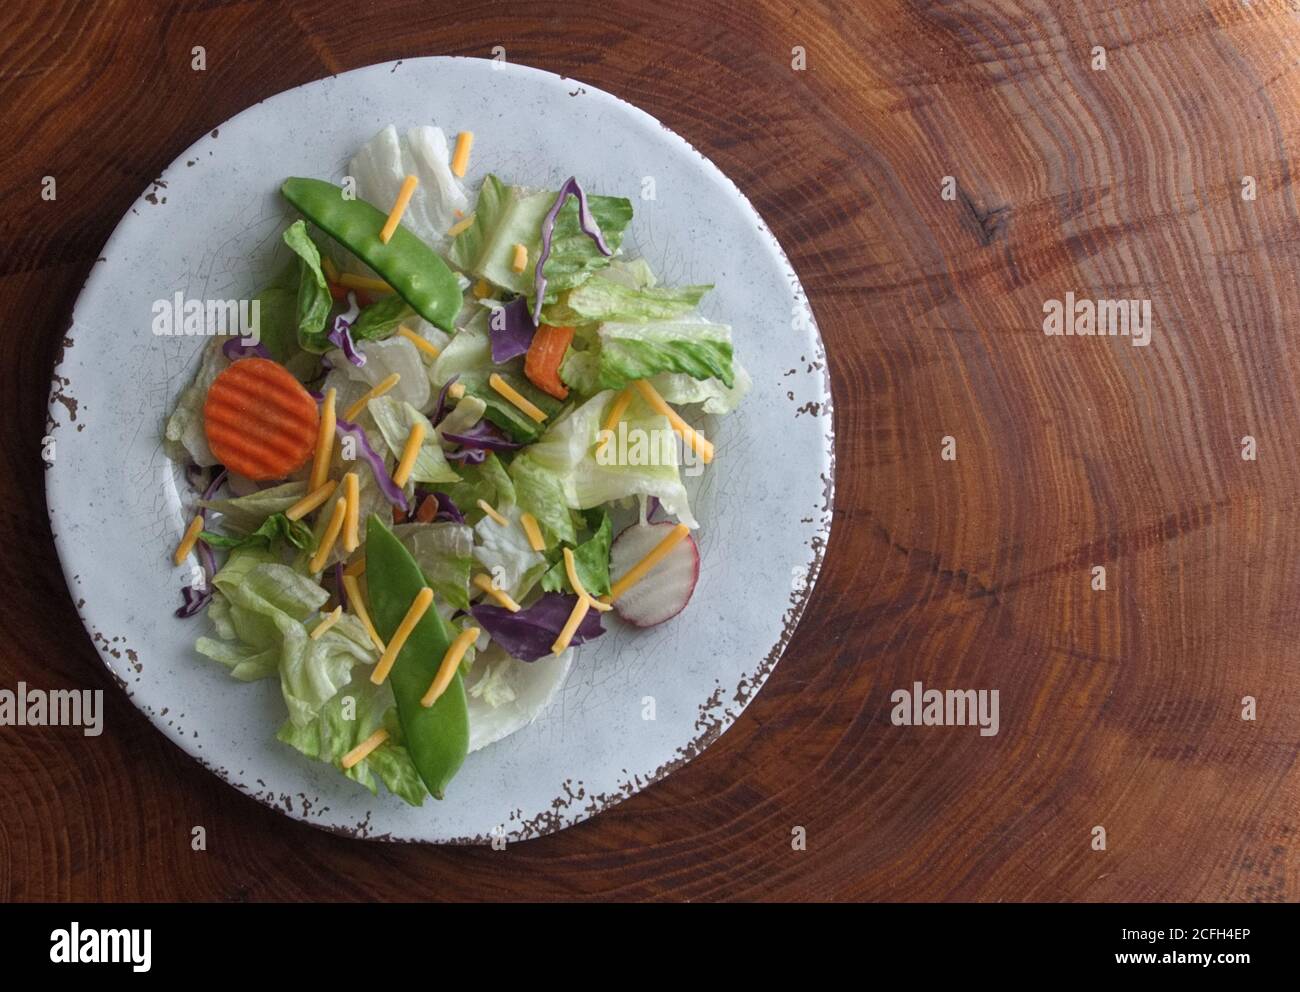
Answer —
437 737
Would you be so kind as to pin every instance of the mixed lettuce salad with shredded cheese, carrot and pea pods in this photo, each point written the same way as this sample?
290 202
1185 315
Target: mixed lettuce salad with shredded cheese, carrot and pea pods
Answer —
408 476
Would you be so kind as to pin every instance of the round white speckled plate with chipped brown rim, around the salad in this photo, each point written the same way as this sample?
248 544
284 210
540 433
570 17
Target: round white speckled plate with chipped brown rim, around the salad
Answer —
207 227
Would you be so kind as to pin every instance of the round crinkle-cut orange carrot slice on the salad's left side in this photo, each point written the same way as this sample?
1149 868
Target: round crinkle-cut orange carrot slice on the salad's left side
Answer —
261 422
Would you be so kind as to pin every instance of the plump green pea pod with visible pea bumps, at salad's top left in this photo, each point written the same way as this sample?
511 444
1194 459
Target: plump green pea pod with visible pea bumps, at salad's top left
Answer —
408 265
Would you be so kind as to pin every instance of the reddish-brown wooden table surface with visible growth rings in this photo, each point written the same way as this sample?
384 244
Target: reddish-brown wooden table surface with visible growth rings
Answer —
1119 708
